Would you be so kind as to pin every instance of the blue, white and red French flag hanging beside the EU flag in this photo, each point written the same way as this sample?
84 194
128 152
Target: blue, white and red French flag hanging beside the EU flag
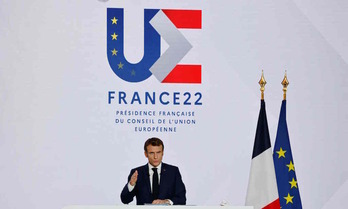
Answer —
262 189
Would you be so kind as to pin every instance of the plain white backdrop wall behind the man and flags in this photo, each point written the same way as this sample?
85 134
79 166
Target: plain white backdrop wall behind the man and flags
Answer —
59 144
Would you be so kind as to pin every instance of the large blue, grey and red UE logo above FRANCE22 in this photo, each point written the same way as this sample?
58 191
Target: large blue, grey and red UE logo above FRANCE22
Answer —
157 23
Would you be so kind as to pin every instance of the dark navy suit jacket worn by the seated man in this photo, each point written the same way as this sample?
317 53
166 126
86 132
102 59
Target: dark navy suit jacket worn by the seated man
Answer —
171 186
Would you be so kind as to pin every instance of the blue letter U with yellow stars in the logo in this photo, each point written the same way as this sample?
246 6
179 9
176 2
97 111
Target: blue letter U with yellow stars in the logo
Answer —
115 46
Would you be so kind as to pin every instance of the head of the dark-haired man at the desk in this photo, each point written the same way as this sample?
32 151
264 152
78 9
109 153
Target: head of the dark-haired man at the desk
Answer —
153 150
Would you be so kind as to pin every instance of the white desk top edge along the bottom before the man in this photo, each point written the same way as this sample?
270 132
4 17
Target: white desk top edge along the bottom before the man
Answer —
154 207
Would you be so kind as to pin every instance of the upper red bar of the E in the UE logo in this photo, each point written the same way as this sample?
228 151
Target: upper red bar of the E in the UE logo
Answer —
185 18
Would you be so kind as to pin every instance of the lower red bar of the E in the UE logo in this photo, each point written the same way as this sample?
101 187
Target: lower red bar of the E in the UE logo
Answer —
185 74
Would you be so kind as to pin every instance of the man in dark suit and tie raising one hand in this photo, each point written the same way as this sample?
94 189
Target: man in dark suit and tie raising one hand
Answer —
155 182
